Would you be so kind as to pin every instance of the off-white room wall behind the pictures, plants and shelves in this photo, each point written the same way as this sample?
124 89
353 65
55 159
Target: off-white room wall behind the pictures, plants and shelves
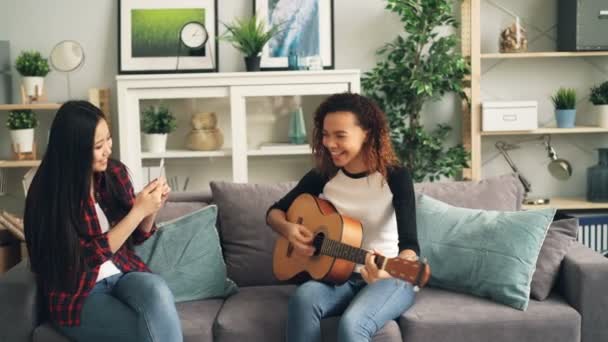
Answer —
360 28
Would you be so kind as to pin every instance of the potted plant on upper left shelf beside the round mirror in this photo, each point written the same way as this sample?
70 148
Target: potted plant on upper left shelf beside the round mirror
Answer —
33 67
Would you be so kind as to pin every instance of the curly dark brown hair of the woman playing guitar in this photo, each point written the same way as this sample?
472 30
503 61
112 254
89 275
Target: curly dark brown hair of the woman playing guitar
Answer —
377 150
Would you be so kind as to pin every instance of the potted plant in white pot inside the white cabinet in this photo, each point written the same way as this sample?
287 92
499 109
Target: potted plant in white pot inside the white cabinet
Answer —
157 123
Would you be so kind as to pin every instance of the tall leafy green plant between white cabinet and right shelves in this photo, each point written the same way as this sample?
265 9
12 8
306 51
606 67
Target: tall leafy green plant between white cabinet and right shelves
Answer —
417 67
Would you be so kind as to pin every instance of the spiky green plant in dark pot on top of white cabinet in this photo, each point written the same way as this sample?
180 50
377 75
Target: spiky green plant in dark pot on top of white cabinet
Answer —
249 35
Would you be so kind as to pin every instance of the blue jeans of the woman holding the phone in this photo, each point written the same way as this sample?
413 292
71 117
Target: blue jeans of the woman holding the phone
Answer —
136 306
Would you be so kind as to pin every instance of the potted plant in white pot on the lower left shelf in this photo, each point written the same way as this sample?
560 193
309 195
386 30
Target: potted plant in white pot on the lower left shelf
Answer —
21 124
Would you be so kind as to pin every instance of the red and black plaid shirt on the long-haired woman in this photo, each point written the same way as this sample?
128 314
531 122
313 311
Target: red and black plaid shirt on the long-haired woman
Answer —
65 307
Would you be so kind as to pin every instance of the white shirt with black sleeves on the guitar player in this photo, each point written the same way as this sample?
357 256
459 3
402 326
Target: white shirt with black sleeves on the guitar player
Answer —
385 207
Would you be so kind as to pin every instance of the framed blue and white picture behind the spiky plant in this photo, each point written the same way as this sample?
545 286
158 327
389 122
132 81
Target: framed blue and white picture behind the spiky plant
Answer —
307 30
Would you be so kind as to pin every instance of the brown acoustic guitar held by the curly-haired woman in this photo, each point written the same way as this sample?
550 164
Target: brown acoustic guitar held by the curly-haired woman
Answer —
337 244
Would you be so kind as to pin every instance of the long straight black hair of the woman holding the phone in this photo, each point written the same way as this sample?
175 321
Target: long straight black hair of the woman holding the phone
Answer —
54 208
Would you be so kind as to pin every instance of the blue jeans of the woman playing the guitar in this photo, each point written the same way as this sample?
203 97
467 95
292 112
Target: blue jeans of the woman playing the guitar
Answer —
364 308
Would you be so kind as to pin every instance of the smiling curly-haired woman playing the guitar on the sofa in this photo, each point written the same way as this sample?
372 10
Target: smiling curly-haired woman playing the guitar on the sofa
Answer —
358 172
